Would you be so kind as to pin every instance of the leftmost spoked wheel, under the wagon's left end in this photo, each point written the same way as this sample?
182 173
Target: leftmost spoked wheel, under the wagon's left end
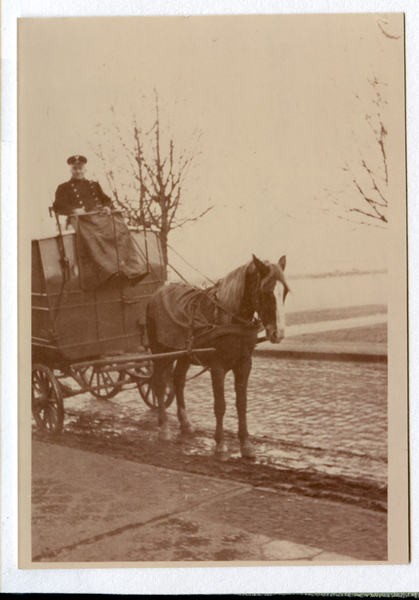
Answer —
47 400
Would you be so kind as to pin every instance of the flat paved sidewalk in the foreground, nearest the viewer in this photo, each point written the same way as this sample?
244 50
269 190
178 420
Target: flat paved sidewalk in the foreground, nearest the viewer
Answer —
88 507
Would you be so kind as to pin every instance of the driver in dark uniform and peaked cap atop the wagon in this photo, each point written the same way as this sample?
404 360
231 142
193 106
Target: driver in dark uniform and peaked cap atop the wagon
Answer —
79 195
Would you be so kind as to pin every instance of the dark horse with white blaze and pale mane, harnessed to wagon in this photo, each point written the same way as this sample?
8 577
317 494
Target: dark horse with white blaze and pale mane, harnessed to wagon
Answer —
222 317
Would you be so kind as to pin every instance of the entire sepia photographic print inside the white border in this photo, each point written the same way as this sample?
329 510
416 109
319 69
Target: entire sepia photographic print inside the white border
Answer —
212 291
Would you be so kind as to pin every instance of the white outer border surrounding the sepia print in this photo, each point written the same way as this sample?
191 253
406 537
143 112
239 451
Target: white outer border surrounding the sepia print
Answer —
243 580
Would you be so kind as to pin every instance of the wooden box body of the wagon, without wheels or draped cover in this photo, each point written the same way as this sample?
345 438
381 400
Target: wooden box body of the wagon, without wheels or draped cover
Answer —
69 323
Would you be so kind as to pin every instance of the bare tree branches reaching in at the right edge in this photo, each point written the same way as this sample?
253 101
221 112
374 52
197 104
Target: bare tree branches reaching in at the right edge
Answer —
368 177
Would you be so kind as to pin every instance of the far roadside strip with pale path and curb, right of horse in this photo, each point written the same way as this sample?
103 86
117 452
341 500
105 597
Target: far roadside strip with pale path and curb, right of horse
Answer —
322 335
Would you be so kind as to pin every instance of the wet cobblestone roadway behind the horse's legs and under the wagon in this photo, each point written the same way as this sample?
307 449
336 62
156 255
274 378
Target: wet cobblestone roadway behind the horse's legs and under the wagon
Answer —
323 416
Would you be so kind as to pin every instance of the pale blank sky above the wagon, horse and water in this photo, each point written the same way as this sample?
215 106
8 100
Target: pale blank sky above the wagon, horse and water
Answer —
274 98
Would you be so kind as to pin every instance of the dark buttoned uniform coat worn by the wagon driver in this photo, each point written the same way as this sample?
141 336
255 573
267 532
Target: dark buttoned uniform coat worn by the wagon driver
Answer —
80 193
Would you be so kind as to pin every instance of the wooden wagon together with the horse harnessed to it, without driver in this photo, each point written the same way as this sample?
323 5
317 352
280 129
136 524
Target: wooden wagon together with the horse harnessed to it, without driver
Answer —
98 306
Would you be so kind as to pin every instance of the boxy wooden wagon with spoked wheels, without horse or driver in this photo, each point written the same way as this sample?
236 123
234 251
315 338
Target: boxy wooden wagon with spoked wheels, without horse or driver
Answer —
88 324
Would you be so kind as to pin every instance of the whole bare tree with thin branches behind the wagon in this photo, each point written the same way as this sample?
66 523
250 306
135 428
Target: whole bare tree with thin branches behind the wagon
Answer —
148 175
